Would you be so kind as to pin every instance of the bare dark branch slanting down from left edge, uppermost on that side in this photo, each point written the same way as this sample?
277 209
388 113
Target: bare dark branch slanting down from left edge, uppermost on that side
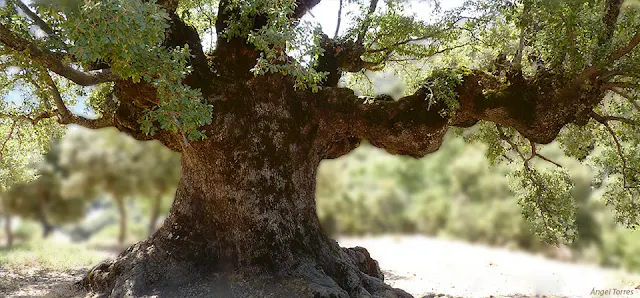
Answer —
52 61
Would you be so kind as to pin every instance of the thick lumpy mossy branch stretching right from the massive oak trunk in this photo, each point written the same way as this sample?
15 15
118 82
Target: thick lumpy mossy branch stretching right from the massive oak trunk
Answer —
415 126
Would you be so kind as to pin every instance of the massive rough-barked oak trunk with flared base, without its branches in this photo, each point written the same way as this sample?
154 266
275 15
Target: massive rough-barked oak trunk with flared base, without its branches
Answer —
244 220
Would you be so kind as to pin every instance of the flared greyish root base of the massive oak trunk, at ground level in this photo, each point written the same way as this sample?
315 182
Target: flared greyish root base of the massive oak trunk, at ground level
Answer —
145 269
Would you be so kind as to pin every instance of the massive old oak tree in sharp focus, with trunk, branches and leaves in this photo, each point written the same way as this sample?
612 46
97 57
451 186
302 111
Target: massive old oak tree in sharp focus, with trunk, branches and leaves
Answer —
257 108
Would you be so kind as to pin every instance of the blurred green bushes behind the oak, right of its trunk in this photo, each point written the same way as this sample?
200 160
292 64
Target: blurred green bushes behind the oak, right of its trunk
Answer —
457 193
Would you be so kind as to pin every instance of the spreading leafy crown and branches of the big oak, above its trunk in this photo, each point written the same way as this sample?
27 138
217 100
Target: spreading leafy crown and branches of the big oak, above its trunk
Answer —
531 71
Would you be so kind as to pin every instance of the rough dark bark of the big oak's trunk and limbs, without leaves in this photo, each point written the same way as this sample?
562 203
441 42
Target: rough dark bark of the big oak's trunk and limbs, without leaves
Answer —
243 222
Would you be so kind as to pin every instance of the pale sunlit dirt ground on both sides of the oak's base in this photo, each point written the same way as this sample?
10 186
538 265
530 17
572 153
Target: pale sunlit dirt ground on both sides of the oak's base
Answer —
422 266
